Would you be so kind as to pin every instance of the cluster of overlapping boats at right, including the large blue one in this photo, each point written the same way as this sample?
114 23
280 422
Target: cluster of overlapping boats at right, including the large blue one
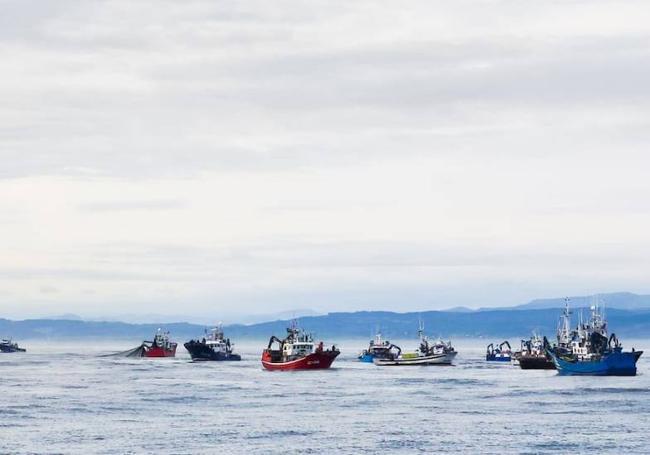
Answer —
584 350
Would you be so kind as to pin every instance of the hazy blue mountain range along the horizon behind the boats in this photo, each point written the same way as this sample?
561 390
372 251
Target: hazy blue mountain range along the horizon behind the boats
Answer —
540 315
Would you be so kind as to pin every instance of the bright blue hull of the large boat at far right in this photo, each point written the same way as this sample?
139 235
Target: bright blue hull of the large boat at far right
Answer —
614 364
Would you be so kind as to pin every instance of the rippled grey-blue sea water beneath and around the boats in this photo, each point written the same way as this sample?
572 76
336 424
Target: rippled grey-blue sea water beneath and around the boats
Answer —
64 398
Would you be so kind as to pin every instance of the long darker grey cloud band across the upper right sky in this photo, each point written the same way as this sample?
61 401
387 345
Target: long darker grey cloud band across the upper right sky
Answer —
552 75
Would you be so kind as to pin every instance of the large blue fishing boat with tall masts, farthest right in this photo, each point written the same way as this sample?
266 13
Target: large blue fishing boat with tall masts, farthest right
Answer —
587 350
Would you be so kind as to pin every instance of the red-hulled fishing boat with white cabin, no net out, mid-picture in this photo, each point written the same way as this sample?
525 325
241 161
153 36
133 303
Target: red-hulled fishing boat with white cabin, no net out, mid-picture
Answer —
297 352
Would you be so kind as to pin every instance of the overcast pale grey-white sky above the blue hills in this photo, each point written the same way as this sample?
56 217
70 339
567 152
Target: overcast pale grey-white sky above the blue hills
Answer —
205 159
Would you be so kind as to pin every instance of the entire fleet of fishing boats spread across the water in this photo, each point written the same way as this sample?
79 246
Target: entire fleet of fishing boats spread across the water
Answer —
584 350
